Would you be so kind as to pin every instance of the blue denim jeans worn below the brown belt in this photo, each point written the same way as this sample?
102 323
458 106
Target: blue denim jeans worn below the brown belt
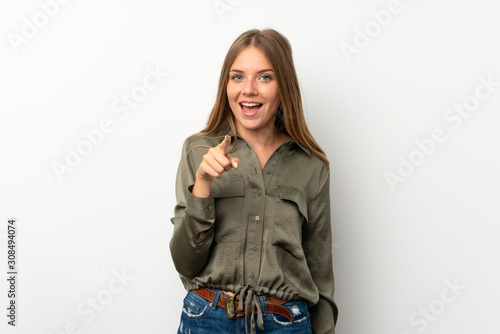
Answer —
202 317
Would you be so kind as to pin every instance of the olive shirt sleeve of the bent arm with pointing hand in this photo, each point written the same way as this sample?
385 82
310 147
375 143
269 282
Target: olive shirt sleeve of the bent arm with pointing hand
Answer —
192 215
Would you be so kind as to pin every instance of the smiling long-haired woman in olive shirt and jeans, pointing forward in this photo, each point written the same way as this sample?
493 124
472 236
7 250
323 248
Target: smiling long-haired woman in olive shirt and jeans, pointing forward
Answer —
252 234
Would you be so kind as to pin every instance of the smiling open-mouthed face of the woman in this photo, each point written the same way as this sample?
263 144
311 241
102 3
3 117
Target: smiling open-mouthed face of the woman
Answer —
252 91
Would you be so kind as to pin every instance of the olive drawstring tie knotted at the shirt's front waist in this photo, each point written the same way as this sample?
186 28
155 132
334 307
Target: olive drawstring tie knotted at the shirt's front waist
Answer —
248 296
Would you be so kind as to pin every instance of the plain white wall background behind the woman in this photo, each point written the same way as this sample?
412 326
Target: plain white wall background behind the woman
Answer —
397 248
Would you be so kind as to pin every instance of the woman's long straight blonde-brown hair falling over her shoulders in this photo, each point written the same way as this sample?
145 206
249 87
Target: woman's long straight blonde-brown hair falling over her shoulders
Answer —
290 116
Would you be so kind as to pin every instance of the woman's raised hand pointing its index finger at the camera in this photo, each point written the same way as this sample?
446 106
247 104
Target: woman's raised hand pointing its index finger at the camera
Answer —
214 164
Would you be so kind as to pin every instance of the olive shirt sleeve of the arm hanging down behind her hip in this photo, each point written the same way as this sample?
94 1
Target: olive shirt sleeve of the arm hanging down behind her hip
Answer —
317 244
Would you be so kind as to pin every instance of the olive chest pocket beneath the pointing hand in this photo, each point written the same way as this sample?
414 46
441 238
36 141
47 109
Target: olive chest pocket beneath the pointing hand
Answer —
228 194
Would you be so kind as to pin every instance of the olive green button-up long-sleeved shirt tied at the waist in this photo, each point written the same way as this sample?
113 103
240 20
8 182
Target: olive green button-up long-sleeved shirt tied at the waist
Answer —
268 229
